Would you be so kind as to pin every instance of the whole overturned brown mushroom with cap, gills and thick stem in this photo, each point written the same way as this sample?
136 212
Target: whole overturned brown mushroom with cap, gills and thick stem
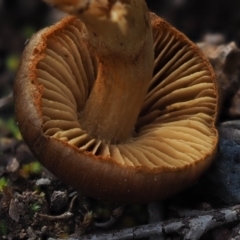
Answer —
117 103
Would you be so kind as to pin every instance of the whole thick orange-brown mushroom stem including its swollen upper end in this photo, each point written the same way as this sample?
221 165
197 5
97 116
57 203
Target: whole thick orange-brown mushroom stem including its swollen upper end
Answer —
119 34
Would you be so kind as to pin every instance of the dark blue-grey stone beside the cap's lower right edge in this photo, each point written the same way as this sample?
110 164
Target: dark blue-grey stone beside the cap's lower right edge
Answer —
223 179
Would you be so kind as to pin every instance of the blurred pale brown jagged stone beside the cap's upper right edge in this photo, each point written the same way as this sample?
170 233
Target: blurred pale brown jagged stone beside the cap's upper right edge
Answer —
225 59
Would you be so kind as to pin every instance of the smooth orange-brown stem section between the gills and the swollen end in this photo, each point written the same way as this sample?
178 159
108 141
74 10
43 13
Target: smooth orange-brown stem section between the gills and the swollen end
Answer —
115 101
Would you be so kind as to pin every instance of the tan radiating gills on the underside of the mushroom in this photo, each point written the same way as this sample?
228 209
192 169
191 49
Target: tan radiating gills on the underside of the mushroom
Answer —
176 125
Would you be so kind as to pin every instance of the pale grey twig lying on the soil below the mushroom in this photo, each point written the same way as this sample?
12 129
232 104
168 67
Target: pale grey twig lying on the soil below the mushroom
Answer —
188 228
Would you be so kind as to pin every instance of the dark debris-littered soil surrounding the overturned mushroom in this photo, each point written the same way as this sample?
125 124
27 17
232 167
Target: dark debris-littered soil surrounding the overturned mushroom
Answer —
36 205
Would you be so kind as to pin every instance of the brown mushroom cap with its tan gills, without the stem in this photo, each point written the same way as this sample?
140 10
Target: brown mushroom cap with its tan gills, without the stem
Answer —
175 137
